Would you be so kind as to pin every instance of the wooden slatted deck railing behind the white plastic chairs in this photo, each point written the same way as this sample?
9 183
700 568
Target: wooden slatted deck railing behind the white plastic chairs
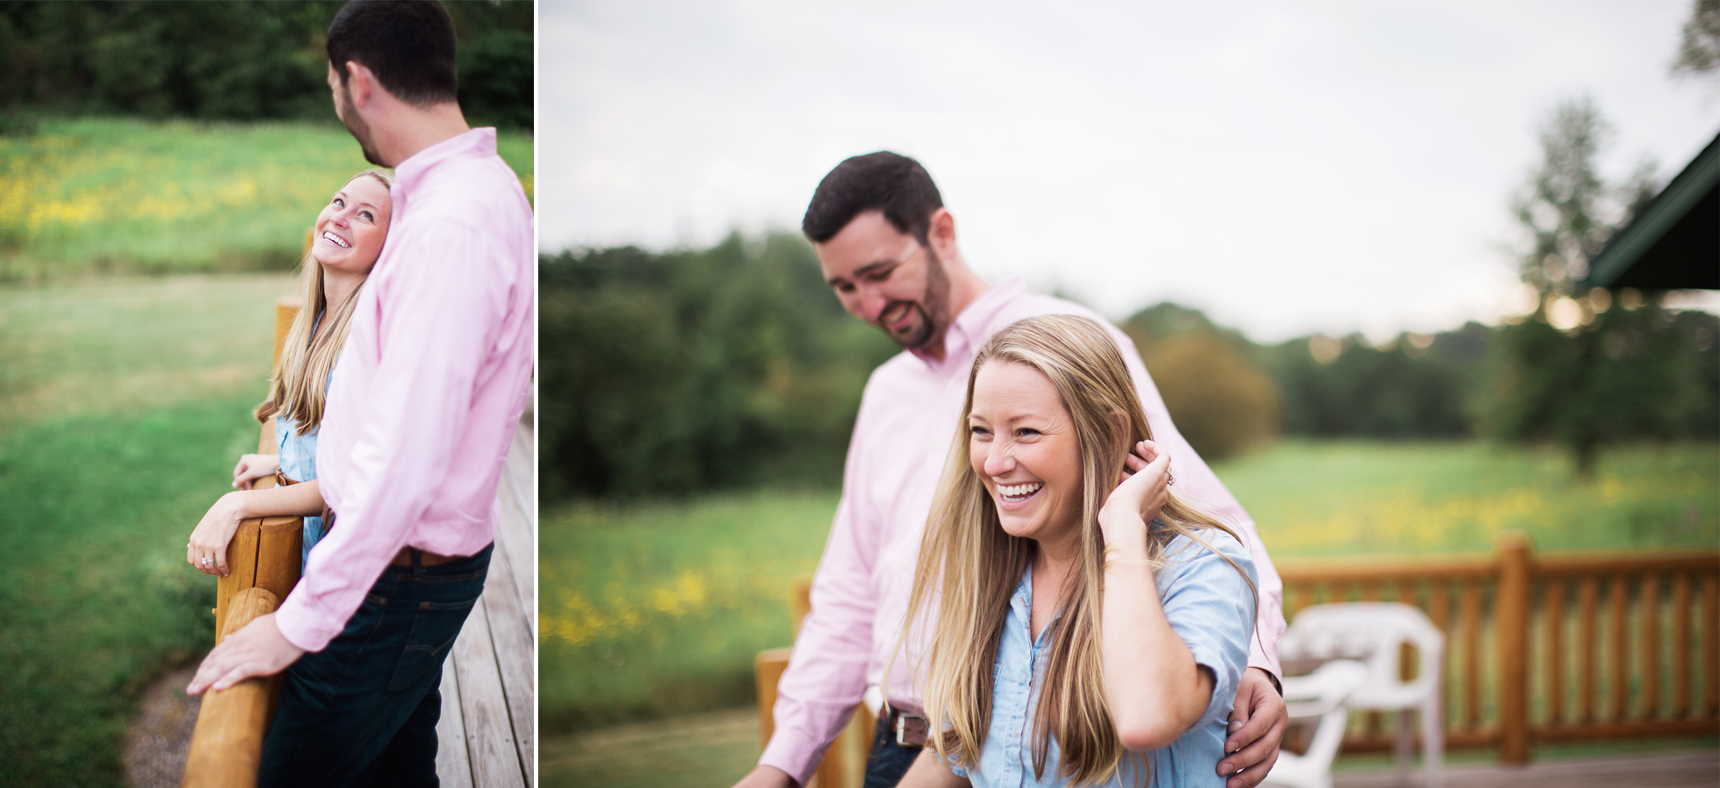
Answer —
1640 660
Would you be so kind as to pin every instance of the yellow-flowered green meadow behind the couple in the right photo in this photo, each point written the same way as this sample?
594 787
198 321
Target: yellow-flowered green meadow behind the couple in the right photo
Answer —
658 608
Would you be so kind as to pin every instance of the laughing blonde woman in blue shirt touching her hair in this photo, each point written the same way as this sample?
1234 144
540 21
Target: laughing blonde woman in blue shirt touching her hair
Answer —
1083 625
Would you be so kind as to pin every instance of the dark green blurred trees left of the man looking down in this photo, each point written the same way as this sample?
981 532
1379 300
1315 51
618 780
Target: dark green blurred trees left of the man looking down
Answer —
692 371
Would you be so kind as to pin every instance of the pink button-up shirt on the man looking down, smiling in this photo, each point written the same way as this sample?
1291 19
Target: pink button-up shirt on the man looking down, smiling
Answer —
902 438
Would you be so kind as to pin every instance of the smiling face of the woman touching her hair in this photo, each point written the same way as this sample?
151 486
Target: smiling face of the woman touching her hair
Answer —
1024 448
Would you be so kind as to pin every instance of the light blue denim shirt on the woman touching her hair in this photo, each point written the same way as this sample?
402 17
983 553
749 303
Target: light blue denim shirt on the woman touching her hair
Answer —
1208 605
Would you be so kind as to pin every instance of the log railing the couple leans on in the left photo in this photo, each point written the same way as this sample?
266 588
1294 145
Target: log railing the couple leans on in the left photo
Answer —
264 562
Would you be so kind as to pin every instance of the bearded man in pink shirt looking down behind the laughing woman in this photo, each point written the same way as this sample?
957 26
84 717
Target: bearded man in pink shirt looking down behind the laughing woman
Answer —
888 249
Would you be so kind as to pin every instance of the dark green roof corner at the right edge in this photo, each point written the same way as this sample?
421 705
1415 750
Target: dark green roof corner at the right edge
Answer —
1674 242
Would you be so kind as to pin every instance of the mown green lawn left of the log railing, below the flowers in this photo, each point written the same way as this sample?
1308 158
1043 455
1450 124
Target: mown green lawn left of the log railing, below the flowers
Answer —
123 407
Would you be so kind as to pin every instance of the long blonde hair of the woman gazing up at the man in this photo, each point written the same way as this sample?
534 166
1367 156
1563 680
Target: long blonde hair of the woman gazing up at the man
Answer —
300 383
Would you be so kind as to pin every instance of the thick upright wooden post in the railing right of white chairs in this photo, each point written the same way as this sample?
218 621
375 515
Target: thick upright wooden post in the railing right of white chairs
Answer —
1513 619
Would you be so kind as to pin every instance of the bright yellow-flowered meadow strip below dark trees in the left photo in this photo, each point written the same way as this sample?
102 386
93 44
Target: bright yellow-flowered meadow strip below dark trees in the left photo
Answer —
120 195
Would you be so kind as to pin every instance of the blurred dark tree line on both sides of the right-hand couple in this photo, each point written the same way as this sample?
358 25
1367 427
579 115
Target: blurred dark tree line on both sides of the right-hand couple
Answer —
732 367
